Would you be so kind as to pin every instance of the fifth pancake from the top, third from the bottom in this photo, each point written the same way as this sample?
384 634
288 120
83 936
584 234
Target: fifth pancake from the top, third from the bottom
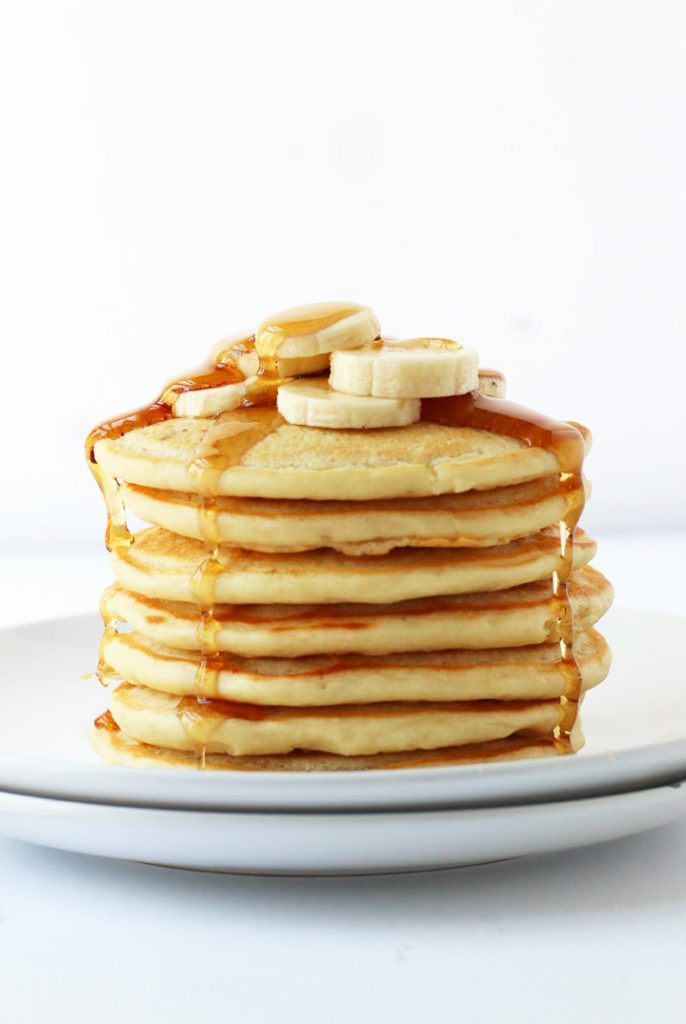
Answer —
502 674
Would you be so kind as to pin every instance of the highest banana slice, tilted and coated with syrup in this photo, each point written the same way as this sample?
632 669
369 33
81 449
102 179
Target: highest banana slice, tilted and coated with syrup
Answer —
307 333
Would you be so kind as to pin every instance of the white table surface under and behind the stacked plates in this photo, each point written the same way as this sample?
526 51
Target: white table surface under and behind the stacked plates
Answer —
595 934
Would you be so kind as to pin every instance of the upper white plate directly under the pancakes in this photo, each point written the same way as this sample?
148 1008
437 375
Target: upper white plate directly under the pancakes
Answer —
635 726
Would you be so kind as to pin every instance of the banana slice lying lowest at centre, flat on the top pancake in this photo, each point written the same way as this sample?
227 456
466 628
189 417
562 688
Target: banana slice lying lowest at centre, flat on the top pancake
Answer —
314 404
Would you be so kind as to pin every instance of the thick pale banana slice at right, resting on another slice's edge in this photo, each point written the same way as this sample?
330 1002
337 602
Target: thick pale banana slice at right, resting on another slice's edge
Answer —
419 368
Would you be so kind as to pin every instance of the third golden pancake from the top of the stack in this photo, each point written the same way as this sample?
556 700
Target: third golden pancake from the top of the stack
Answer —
161 565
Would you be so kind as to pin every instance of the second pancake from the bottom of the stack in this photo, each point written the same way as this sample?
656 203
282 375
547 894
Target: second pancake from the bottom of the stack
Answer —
223 728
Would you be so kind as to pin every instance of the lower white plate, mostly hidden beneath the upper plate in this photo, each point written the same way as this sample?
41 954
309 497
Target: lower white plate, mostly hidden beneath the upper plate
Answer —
334 844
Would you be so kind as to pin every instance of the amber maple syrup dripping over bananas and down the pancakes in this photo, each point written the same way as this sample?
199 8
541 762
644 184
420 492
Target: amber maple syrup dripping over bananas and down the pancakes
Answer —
233 435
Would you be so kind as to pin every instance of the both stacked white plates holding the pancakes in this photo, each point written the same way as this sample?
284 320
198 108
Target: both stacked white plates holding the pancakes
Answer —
55 792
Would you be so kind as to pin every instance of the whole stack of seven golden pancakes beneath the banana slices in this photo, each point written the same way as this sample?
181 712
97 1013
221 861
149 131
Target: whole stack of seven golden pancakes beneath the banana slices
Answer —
341 600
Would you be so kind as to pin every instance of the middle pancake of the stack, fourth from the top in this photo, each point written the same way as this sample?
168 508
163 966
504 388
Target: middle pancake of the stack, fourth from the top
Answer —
522 616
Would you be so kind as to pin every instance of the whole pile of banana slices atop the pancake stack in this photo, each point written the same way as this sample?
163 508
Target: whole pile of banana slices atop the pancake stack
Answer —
305 340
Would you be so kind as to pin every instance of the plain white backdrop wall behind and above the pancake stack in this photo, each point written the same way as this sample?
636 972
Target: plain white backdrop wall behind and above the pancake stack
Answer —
509 174
